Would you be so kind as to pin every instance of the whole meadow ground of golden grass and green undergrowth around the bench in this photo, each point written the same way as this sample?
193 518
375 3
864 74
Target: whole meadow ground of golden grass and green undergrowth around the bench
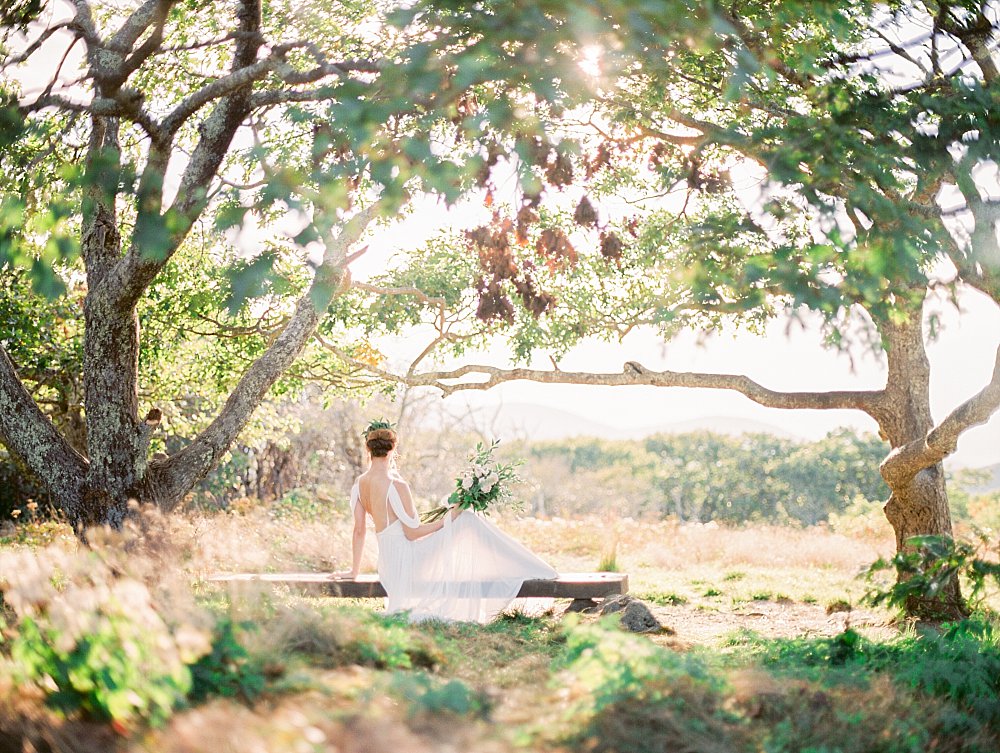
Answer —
767 646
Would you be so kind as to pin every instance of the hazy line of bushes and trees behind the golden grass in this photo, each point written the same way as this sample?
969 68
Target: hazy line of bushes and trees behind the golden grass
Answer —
696 476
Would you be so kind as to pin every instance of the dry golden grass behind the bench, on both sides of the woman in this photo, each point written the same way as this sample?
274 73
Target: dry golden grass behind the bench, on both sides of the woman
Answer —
690 565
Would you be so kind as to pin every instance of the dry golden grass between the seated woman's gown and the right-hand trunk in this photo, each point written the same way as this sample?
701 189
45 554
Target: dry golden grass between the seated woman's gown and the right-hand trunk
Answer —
708 566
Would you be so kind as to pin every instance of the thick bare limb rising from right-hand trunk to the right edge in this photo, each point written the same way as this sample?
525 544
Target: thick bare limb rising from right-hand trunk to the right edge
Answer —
905 462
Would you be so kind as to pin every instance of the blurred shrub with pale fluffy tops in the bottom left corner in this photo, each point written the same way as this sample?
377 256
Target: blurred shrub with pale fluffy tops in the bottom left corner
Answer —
92 640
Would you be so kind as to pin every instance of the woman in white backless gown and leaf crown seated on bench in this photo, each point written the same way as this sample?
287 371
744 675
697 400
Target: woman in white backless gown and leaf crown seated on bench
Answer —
461 567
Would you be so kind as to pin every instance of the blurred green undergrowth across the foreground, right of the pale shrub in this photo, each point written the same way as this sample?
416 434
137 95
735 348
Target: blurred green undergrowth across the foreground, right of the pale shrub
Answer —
550 683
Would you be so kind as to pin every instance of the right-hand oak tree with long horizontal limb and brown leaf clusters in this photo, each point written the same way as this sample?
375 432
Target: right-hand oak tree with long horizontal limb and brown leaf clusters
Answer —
872 130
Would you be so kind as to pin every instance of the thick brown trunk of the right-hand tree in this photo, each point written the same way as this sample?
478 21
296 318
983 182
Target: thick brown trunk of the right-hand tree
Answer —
918 502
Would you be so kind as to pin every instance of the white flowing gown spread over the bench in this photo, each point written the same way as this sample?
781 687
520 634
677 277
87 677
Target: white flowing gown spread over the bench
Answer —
468 571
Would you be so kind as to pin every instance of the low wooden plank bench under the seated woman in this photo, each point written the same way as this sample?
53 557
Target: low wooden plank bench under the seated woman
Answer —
582 588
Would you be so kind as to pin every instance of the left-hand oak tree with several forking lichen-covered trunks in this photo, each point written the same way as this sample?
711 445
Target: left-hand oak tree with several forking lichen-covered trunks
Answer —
167 133
